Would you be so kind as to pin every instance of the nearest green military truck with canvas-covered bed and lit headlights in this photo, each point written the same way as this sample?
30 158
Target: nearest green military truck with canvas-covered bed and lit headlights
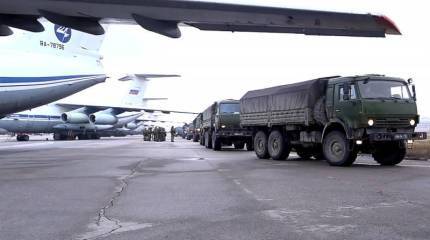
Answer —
334 118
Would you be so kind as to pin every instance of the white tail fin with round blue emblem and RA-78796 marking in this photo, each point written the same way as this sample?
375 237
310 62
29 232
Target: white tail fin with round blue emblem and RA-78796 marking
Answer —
59 40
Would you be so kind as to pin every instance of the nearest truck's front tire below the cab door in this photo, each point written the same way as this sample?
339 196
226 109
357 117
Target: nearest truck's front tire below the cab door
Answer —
336 150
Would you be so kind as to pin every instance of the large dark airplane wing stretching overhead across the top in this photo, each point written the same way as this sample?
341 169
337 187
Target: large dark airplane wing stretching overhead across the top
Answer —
164 17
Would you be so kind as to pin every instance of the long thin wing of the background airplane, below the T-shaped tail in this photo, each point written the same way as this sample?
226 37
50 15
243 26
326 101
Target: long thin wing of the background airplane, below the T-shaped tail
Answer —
120 109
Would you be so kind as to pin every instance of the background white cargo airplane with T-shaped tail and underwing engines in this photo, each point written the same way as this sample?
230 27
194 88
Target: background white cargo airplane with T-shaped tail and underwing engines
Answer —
68 121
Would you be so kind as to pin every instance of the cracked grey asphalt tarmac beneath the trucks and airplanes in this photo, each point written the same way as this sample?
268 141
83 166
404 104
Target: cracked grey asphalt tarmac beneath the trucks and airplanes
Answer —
123 188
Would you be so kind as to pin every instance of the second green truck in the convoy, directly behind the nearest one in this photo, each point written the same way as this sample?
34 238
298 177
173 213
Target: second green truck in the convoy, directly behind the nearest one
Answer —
221 126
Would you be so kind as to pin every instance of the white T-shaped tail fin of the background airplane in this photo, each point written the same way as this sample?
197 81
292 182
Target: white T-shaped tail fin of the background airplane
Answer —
135 95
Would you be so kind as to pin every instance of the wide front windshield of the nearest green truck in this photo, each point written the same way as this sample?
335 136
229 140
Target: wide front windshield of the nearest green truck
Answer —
383 90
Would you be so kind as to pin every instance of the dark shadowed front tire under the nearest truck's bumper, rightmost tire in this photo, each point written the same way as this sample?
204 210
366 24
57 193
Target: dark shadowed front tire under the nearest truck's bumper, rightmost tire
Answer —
390 154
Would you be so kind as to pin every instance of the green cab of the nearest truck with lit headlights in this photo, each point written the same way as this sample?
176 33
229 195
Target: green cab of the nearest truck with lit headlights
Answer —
376 114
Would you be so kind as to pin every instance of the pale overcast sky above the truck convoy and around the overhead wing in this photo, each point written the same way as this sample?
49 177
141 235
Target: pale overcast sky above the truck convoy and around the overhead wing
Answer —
220 65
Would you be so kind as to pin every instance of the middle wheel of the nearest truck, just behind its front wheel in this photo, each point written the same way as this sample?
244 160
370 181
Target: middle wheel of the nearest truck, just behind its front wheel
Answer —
278 147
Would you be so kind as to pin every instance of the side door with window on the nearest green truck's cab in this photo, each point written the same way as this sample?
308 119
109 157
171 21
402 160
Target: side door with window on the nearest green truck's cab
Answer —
346 105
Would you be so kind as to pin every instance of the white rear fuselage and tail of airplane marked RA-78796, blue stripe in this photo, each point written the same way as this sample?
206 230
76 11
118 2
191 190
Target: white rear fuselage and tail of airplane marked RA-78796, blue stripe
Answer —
39 68
